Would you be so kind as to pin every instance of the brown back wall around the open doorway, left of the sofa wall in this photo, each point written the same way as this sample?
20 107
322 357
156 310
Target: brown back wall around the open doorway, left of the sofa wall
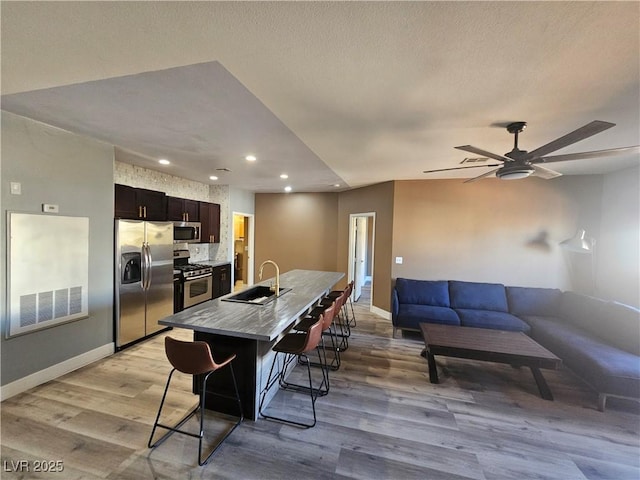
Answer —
311 231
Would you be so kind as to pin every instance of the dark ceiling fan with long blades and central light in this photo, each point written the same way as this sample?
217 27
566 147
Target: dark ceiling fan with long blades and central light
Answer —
521 164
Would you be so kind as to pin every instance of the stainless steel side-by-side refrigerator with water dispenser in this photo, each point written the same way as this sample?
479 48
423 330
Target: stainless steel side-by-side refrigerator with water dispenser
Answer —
144 278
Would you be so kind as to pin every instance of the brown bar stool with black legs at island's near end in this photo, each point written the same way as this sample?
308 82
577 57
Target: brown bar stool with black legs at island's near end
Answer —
194 358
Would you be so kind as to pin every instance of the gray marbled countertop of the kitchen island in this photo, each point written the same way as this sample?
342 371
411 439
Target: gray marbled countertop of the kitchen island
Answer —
258 322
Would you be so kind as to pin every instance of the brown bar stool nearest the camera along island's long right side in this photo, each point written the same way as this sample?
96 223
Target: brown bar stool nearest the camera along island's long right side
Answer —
292 346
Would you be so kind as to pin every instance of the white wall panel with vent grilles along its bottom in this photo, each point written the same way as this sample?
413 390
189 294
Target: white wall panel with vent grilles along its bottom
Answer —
48 273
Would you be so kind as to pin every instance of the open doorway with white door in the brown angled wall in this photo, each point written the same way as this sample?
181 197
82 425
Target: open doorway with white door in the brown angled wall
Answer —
361 253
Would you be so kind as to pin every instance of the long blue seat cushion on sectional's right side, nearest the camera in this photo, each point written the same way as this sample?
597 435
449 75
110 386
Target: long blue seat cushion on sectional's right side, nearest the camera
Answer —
606 368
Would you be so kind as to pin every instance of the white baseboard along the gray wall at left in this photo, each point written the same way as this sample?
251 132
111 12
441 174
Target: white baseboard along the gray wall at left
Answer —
55 371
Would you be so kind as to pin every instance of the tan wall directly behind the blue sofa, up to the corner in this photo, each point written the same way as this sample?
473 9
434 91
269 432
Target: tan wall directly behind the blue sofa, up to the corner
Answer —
494 230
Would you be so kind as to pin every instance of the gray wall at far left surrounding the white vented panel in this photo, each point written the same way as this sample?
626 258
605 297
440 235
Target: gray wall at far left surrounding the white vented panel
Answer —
76 173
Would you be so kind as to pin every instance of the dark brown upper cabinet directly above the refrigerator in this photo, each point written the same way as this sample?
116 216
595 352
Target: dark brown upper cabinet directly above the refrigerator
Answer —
140 203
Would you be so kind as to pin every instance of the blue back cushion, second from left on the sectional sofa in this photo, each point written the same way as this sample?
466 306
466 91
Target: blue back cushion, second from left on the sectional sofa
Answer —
478 296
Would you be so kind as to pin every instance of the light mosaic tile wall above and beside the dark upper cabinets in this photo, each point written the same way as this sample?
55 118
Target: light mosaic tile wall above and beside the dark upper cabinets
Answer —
140 177
